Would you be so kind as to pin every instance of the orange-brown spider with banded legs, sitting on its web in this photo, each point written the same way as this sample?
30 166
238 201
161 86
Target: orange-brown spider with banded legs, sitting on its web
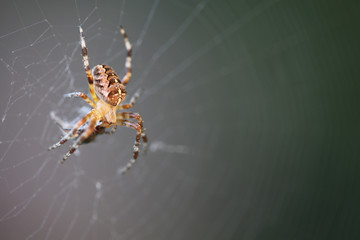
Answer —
108 94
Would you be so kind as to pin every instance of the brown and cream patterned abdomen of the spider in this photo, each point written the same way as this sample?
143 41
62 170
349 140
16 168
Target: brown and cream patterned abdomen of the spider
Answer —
108 86
